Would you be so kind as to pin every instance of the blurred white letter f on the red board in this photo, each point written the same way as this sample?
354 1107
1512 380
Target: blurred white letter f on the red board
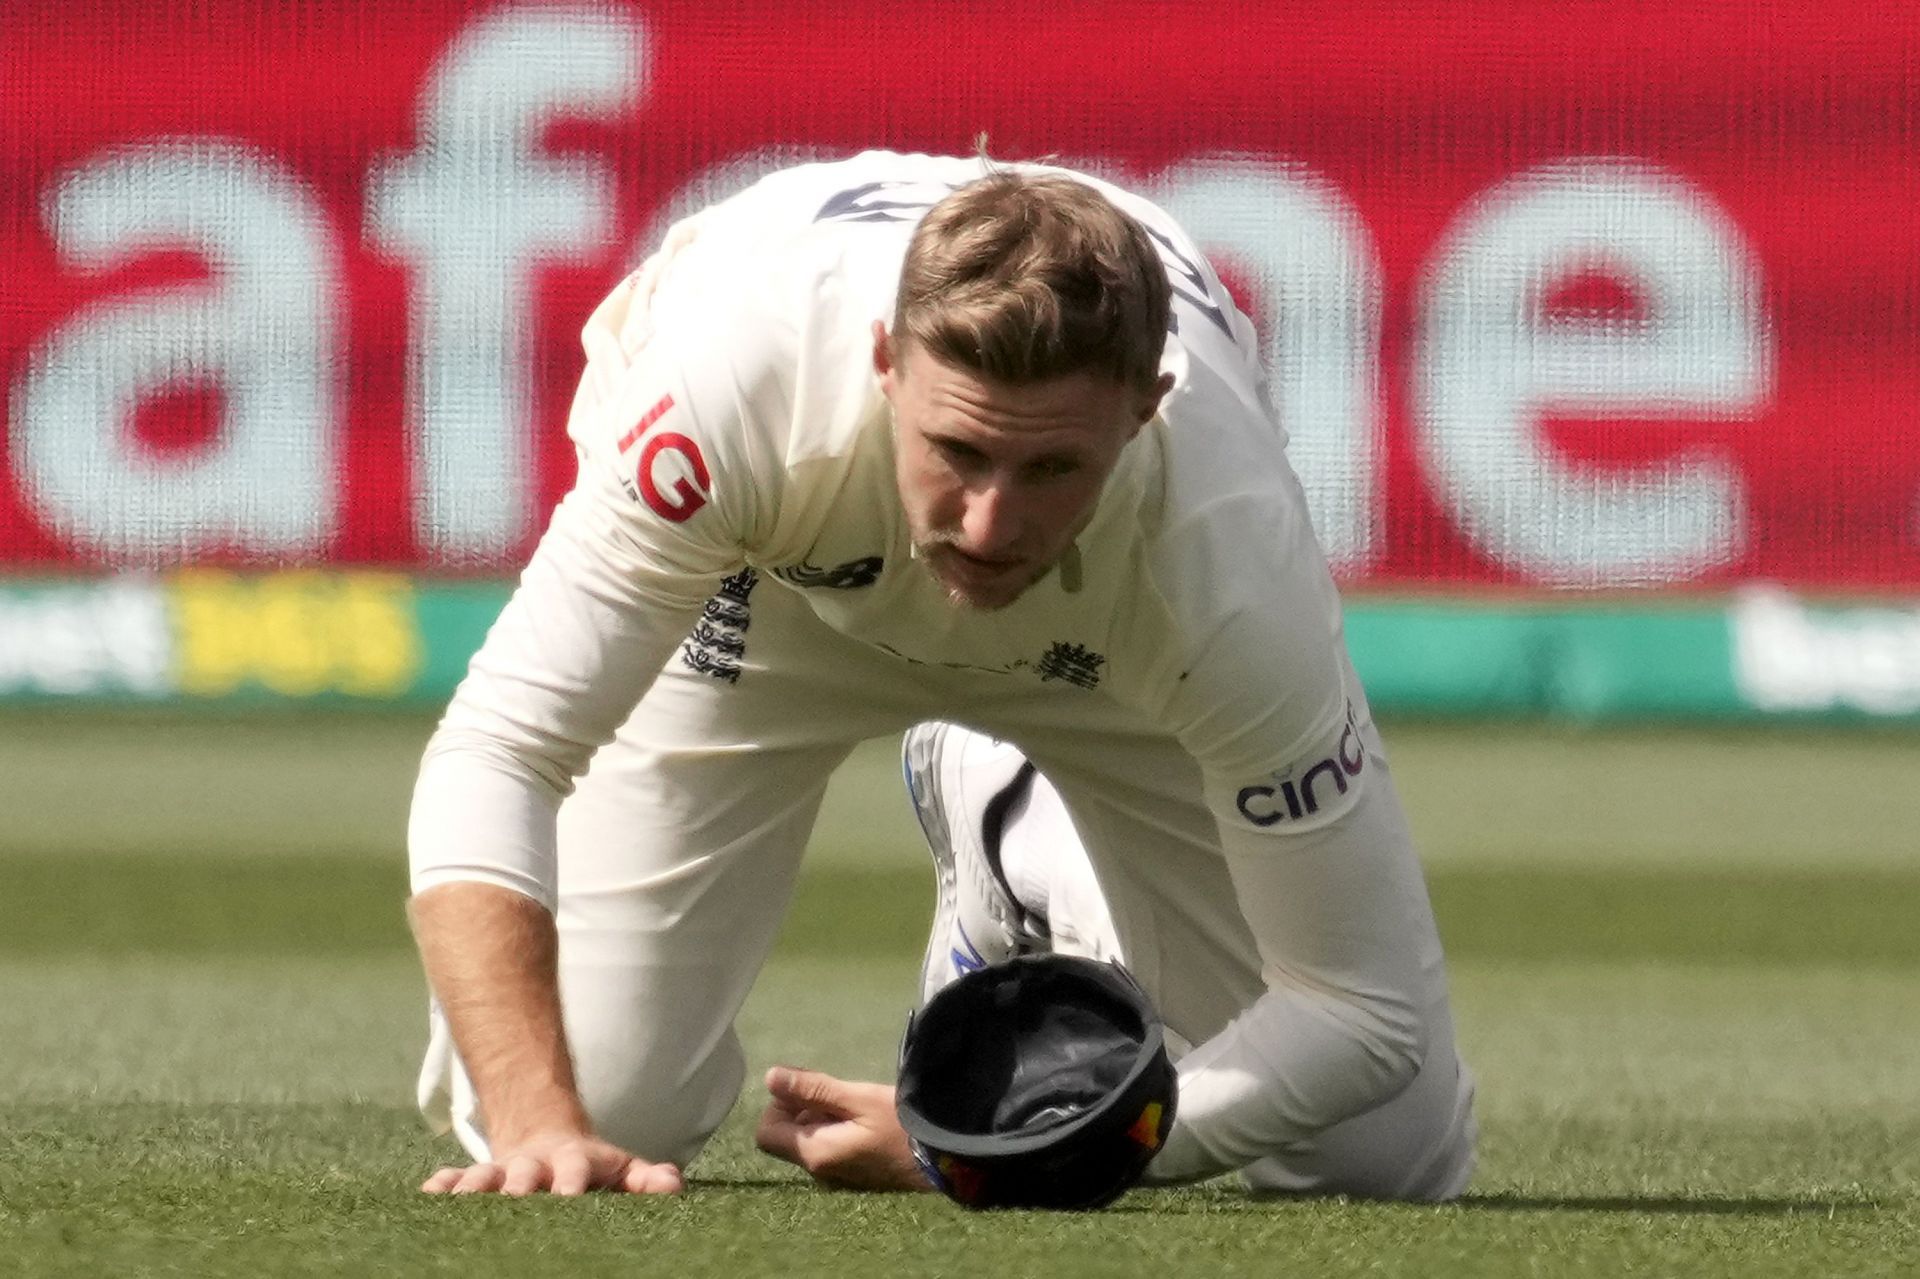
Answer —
477 210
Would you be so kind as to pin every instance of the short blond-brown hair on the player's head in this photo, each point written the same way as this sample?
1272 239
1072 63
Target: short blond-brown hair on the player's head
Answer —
1034 276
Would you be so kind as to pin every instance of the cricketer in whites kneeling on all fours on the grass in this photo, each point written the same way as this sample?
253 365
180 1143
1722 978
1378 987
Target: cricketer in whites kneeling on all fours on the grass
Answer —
978 454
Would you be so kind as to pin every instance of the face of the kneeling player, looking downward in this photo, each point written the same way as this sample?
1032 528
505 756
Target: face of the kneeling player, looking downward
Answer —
997 479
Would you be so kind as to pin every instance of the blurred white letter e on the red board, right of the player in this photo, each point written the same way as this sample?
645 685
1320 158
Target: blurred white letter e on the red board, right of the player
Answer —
1487 366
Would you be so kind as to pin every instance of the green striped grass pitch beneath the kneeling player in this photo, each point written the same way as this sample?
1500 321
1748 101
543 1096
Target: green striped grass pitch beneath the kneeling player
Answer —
1687 971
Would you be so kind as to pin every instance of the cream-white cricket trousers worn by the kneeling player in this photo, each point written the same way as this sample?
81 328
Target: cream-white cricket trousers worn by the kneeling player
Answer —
681 846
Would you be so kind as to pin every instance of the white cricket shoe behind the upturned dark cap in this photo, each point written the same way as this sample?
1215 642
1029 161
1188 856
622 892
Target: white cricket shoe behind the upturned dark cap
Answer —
965 788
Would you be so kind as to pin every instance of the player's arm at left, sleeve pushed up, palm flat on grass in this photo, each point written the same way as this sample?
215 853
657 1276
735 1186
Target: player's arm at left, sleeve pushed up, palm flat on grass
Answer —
604 604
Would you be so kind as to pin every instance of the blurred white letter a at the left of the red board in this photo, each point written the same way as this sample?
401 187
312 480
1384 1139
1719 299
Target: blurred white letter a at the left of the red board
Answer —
264 331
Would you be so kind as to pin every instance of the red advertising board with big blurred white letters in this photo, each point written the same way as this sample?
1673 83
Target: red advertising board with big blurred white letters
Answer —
1556 295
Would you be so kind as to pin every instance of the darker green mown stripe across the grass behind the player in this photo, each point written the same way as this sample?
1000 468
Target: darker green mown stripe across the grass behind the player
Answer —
287 905
